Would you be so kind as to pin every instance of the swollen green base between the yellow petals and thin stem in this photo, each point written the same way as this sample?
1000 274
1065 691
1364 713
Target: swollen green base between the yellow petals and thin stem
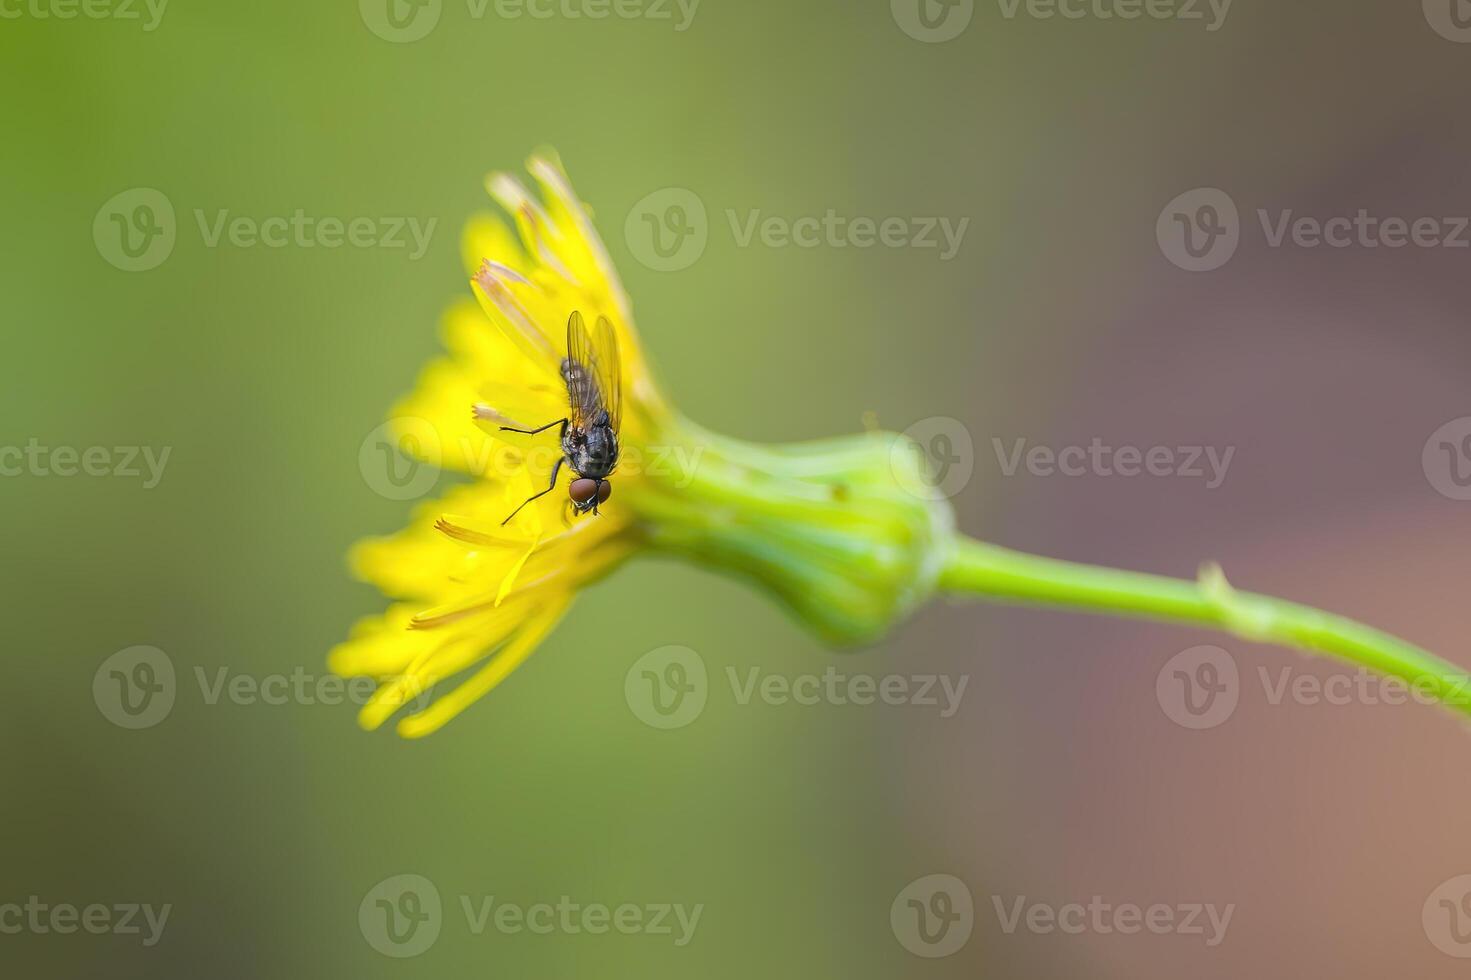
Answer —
847 533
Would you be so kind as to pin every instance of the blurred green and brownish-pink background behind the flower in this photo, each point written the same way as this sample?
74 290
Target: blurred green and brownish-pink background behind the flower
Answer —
1060 320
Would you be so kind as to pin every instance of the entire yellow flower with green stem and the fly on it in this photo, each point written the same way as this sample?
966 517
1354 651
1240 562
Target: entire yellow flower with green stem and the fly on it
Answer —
845 532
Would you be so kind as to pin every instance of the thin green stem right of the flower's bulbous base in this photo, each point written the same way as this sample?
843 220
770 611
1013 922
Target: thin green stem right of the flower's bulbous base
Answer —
992 573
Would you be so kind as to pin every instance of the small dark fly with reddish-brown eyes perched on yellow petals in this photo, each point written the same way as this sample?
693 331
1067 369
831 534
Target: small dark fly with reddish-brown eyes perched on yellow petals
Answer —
591 430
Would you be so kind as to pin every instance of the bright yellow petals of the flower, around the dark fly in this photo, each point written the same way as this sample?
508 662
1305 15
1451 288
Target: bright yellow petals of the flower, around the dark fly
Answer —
470 586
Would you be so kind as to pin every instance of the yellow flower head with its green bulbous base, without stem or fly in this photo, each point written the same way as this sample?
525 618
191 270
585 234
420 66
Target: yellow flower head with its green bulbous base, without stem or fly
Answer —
835 529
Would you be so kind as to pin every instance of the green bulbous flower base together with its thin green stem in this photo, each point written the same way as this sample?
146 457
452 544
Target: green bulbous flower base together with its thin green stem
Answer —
848 535
